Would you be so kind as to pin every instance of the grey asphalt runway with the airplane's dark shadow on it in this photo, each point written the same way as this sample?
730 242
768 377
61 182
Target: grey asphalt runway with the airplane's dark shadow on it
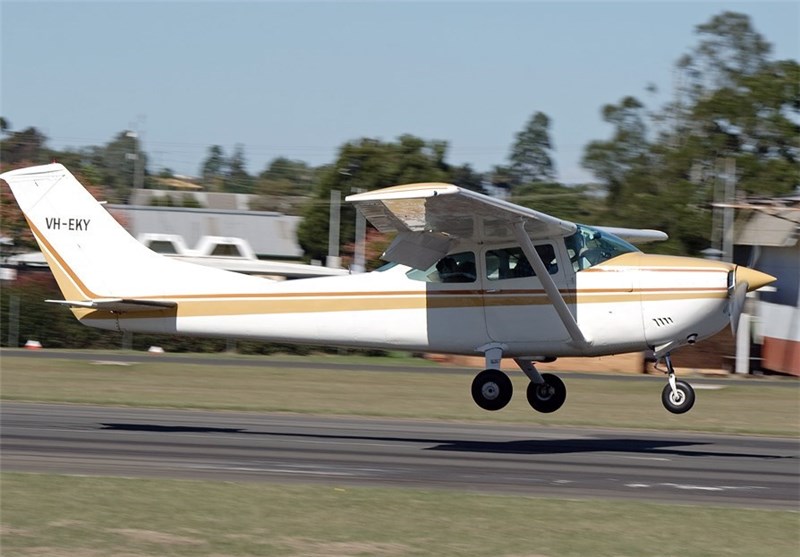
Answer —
554 462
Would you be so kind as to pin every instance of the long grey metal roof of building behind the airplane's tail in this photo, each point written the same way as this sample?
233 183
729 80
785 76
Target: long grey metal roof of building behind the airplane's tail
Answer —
270 234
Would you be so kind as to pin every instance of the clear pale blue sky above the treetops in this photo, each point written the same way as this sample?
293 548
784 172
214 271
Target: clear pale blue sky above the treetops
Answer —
299 79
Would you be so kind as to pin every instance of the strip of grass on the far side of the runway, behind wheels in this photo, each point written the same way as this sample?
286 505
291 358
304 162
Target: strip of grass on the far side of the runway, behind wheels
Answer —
738 408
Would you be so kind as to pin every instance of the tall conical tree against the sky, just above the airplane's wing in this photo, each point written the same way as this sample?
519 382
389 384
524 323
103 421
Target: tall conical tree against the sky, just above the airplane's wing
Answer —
530 155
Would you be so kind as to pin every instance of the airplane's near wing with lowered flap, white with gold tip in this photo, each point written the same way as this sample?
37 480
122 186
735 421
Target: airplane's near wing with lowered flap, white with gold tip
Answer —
429 217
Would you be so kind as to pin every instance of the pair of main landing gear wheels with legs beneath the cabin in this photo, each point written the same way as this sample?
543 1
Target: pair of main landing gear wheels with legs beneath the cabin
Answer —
492 389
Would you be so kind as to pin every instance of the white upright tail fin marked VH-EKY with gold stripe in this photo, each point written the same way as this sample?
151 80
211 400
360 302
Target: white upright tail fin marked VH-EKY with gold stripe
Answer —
91 255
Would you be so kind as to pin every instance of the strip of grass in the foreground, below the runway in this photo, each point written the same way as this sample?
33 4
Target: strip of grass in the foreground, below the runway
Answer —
91 517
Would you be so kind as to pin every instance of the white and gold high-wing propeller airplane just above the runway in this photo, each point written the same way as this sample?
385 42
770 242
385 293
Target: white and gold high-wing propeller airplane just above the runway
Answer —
465 274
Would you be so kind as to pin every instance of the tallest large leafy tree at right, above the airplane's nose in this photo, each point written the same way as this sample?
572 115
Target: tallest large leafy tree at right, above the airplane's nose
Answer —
732 102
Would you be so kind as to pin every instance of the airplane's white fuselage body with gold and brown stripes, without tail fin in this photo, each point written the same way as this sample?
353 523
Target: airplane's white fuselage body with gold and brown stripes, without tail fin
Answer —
628 303
